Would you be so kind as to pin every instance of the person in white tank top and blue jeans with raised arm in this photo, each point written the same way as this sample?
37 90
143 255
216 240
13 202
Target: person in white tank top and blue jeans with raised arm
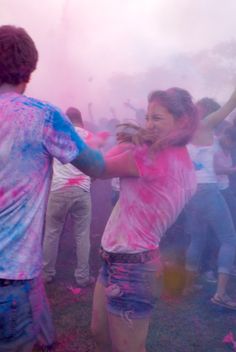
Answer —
208 207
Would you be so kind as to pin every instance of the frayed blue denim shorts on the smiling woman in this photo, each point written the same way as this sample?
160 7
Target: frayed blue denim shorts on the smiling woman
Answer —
131 289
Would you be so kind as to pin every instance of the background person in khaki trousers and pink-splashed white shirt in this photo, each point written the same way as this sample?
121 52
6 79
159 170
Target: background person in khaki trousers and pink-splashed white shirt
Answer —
70 195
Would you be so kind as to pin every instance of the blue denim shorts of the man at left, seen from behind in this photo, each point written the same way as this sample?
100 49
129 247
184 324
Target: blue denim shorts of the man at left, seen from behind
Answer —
21 306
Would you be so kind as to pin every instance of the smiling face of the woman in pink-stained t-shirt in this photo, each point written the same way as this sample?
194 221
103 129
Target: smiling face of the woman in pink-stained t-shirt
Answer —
158 118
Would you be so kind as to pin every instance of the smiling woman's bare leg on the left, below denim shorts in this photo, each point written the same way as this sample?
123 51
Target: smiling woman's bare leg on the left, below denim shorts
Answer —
99 325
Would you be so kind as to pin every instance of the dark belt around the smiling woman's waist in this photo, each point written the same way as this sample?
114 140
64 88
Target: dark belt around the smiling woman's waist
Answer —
132 258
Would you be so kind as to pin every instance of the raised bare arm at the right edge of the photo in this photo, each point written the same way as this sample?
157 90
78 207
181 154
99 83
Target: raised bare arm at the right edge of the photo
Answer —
212 120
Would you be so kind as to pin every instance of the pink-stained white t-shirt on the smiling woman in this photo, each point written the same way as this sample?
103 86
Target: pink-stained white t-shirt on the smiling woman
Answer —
149 204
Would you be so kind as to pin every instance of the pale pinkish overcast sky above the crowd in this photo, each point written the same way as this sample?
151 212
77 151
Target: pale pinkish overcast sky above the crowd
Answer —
82 43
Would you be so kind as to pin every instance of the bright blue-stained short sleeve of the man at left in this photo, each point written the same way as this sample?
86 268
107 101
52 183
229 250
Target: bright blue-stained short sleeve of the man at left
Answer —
60 138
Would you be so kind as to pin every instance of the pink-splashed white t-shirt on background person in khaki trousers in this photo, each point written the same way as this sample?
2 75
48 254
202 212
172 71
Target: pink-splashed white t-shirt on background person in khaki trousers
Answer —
66 175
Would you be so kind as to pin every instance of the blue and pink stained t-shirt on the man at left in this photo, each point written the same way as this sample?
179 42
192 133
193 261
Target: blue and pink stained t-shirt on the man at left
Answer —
31 134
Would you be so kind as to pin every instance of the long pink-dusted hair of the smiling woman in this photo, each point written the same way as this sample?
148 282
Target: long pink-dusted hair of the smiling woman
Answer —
179 103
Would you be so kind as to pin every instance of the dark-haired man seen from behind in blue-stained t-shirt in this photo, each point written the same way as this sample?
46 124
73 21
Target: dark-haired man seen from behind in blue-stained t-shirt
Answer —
32 133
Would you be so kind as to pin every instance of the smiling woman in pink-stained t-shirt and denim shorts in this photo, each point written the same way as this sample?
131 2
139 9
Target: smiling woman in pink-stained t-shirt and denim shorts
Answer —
150 162
